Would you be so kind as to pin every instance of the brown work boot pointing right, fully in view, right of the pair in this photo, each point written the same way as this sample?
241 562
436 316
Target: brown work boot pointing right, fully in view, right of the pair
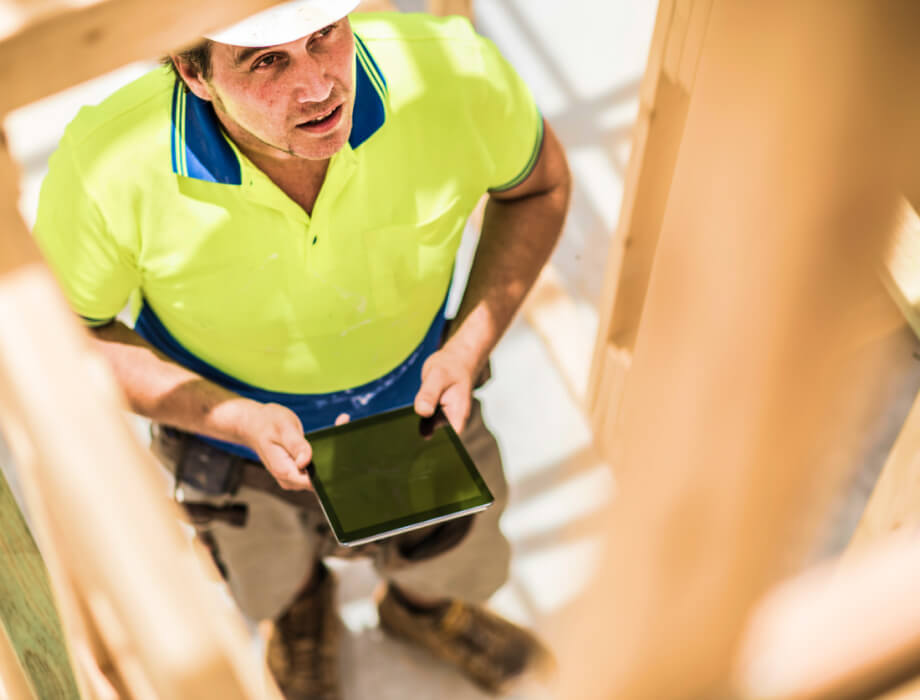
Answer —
490 650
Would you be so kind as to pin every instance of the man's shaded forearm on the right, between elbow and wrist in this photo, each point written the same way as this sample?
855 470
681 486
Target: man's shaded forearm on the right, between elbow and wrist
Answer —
517 239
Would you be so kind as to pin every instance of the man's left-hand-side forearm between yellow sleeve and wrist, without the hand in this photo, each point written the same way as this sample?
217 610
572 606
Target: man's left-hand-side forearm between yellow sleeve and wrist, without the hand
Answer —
167 392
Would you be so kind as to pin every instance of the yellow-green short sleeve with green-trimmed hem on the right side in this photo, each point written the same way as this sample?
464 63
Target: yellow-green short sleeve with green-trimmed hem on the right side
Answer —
509 121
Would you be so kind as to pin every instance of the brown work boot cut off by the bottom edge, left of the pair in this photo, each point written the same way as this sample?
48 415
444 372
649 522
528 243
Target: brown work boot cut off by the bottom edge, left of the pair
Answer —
304 644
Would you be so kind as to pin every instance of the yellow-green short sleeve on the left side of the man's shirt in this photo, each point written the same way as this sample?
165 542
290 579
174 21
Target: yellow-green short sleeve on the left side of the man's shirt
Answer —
97 274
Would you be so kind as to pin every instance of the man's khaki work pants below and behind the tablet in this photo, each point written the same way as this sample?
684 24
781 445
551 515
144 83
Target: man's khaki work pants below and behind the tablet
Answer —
267 560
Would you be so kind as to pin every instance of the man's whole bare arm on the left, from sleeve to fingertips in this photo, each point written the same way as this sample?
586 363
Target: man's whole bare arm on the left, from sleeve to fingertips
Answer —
168 393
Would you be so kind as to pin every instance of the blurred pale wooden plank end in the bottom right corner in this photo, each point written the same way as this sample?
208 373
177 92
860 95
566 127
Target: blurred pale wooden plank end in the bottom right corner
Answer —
848 631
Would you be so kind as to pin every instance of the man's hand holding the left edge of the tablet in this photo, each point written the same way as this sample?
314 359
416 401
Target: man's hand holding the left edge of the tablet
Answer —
275 433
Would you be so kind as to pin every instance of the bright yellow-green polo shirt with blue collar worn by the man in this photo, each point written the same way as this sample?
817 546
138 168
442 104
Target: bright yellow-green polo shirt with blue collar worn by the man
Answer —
147 195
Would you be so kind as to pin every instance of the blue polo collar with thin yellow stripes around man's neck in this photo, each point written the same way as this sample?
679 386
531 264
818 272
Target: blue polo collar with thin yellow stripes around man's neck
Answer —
201 151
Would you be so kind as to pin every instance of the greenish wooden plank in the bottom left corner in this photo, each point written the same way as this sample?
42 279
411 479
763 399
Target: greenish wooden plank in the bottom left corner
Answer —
27 608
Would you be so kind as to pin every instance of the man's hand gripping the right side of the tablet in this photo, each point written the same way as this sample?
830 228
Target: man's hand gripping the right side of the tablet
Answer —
447 380
